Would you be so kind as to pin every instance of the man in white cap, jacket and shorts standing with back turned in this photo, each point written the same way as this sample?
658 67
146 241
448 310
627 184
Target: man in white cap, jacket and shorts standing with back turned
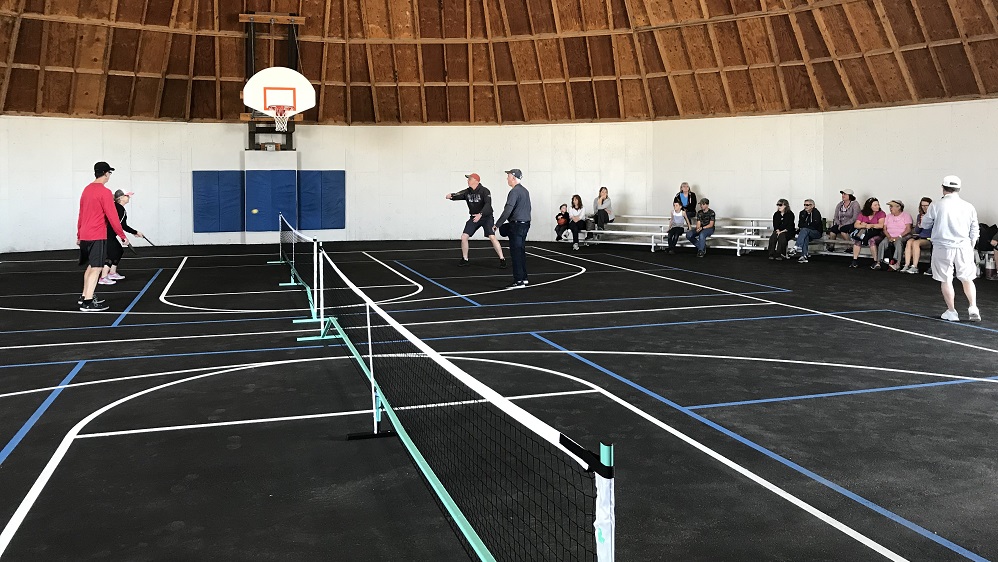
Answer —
954 234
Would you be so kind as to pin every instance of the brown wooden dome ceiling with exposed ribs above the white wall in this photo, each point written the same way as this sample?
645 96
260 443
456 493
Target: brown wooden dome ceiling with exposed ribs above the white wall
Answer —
508 61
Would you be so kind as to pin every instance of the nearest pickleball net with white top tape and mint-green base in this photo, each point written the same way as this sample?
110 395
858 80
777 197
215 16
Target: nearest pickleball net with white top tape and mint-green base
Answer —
514 487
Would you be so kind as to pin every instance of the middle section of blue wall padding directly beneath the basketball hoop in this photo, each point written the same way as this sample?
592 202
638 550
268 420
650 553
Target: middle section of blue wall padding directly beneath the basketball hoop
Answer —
271 192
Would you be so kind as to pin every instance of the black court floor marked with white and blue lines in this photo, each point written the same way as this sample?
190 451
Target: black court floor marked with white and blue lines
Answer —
759 410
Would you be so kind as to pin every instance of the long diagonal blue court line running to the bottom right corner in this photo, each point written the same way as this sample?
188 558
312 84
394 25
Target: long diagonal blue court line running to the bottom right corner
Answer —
782 460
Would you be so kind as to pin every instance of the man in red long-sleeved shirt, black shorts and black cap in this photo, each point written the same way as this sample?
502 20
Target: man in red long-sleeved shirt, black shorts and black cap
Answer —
96 212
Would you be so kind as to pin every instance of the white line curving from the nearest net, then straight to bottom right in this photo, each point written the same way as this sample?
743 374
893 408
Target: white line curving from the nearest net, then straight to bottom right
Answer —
822 516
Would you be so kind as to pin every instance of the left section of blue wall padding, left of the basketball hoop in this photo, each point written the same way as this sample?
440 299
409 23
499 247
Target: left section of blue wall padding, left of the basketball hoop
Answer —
218 201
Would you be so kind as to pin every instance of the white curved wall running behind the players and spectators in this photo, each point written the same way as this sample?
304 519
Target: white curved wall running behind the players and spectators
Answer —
397 176
